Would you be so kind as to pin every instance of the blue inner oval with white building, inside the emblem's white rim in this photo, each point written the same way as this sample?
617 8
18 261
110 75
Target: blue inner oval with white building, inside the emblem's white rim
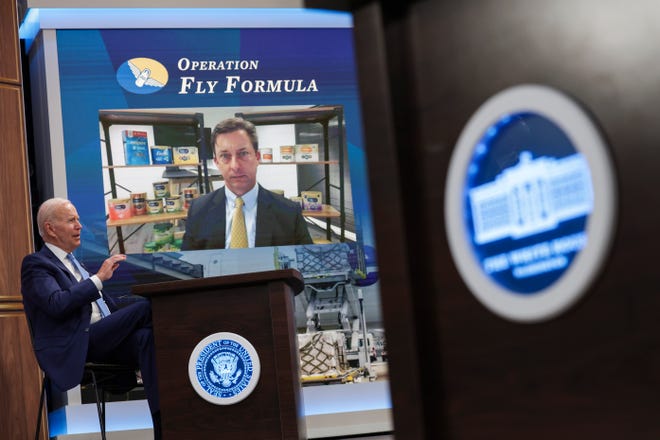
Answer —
527 201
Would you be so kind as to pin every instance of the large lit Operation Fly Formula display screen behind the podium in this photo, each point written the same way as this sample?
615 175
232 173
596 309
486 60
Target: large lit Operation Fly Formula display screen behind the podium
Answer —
132 101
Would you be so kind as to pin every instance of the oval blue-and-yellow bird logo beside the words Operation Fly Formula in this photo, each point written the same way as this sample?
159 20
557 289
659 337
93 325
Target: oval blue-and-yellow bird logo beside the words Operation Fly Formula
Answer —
142 76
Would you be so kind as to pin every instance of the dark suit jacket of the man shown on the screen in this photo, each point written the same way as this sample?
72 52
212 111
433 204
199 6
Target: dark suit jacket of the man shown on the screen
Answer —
279 222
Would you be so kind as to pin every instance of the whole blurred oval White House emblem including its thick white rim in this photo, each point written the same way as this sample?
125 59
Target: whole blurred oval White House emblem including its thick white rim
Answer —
530 202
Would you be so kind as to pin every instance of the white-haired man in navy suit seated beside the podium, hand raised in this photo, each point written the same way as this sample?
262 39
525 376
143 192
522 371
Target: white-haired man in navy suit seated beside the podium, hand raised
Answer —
72 321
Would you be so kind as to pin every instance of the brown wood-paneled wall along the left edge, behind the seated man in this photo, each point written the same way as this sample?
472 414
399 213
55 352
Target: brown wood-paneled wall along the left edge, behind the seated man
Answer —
20 377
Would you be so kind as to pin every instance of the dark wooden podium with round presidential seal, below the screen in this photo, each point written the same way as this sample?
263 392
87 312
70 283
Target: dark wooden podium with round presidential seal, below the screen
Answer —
260 308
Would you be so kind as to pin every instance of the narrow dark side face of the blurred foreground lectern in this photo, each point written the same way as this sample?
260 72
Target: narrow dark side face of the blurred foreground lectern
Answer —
396 257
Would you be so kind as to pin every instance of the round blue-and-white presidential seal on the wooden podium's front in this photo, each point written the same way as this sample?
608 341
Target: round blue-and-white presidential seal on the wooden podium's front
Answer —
224 368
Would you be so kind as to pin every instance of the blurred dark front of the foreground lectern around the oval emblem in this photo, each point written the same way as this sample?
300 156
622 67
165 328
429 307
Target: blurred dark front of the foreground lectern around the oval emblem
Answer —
592 372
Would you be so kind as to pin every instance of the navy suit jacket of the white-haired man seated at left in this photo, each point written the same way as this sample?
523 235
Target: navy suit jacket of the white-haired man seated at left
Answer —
59 309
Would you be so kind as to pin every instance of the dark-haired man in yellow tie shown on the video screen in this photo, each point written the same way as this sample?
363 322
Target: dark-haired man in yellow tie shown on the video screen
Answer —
270 219
